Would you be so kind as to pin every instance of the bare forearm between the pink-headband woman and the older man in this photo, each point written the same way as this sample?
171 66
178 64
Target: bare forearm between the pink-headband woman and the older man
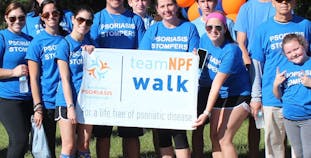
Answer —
241 39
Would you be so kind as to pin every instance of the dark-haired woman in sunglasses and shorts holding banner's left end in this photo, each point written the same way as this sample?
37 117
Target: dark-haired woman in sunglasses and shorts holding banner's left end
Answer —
70 64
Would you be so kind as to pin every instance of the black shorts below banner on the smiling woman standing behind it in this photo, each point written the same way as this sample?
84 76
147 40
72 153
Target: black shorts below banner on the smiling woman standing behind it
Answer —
179 136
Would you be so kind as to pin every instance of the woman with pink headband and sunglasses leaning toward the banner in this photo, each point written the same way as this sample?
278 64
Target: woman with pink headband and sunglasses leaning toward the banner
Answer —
227 104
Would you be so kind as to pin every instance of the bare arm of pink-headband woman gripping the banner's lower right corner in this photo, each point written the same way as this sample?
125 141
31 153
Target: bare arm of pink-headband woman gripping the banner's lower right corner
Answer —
218 81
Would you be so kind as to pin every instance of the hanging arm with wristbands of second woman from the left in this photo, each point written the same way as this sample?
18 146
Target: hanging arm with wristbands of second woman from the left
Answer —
35 89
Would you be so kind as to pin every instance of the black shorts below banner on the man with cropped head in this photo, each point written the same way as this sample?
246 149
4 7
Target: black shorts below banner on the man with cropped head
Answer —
100 131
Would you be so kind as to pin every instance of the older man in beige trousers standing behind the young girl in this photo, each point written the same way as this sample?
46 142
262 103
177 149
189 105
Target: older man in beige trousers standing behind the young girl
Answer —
266 52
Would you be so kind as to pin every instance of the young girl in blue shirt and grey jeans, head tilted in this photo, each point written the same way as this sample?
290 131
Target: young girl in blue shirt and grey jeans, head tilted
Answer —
292 84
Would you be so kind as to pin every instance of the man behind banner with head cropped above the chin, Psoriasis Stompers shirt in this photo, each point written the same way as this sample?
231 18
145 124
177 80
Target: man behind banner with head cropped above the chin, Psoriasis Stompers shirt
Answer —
117 27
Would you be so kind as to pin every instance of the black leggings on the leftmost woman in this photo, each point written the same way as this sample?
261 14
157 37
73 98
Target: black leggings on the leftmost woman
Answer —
15 117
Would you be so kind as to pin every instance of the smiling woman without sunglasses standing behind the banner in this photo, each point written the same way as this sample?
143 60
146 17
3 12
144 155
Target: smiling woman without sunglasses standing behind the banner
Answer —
171 26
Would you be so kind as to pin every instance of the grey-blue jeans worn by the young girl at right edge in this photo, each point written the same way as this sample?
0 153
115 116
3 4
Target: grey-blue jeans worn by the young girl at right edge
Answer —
299 136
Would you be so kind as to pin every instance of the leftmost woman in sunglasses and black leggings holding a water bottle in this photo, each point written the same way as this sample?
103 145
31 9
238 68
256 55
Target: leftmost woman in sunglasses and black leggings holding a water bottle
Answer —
15 105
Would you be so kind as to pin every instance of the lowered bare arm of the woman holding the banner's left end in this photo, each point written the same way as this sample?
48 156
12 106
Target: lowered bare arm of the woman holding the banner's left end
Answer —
65 79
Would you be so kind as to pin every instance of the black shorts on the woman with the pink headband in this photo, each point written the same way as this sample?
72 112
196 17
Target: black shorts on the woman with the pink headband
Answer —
231 102
